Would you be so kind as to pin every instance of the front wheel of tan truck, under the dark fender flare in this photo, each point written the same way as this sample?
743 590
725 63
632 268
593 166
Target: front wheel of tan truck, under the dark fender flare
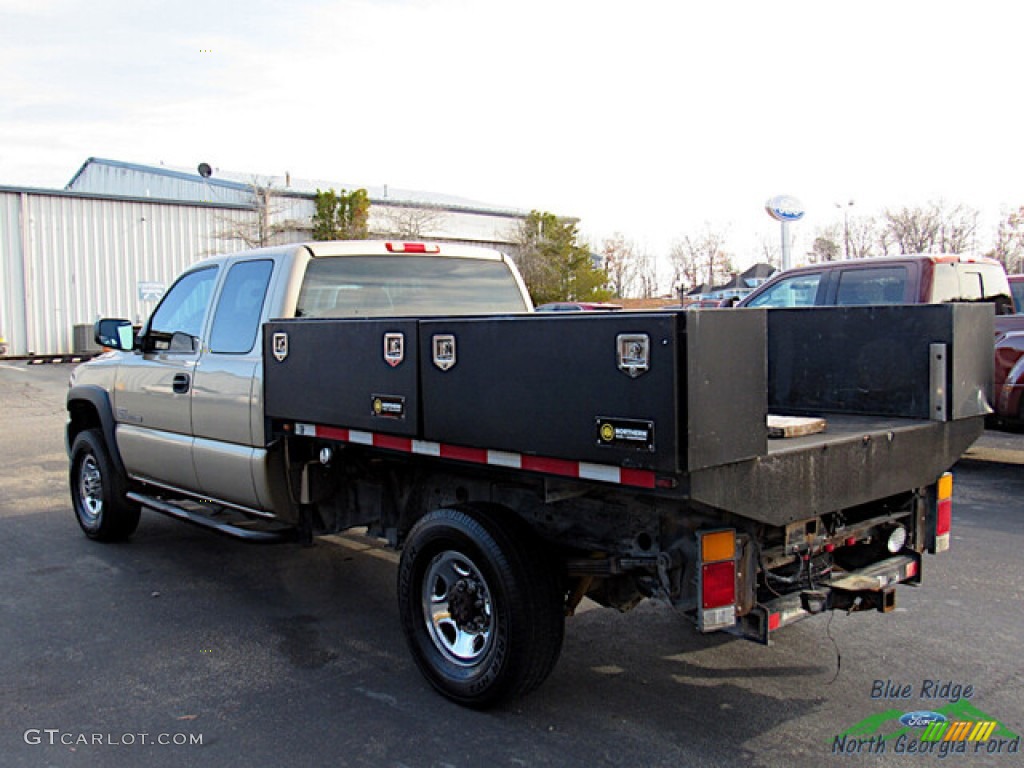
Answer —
98 491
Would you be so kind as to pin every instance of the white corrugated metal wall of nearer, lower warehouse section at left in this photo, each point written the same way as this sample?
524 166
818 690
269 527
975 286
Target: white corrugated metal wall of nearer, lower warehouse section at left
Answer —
68 261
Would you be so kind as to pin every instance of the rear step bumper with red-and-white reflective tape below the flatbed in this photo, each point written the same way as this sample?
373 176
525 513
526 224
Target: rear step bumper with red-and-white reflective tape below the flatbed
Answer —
870 588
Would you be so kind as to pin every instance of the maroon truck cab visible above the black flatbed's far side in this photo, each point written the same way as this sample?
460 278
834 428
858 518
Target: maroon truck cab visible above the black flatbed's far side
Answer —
899 280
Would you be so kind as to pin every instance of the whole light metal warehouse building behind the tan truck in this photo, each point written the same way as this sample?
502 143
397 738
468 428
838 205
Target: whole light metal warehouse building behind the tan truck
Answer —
112 242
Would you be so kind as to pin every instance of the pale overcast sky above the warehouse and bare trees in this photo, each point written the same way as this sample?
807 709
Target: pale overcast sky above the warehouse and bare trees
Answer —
644 118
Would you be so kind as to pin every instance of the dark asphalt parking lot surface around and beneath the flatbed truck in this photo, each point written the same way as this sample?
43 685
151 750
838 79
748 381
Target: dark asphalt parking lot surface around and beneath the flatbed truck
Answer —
290 656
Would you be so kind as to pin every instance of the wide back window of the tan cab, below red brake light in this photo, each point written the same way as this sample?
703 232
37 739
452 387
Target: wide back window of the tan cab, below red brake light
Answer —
380 287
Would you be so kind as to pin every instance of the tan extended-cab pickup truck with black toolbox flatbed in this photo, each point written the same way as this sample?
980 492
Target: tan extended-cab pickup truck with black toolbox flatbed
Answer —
523 461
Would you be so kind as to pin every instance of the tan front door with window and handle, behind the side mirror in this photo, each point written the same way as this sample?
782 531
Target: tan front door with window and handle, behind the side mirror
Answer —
153 397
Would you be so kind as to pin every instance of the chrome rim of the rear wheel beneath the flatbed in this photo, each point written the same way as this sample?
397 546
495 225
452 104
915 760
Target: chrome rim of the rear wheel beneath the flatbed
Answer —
458 609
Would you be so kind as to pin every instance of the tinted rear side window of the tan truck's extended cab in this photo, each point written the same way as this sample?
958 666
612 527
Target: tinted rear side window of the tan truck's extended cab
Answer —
236 322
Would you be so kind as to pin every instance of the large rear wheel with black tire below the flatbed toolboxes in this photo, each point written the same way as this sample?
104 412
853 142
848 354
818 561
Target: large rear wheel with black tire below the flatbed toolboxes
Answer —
482 608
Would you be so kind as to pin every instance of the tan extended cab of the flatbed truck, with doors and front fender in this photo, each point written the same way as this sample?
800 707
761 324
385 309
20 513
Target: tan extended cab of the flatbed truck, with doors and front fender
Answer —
182 402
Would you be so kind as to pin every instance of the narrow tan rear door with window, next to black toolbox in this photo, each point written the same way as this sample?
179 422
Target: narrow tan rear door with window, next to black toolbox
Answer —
228 394
